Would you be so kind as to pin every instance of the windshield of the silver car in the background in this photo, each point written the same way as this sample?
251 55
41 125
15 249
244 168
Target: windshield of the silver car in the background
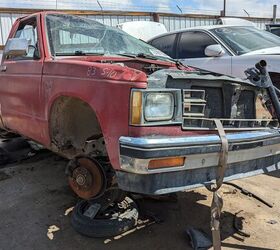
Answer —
243 40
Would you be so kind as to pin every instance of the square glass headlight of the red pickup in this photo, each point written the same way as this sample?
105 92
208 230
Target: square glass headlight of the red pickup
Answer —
159 107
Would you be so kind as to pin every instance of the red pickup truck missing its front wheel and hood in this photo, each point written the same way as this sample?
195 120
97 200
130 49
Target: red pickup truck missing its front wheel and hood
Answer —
126 114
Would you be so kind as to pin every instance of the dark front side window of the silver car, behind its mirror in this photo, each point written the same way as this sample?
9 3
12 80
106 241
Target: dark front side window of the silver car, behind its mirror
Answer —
193 43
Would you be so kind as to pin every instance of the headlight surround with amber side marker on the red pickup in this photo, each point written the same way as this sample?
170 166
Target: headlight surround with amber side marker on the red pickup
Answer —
141 96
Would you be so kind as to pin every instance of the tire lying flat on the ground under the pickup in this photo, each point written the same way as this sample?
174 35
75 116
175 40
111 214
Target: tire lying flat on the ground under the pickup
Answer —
116 219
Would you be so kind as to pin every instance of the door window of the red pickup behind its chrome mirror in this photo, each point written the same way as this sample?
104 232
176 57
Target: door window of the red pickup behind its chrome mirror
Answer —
28 30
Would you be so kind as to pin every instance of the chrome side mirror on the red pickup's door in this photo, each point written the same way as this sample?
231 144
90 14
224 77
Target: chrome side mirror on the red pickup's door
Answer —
16 47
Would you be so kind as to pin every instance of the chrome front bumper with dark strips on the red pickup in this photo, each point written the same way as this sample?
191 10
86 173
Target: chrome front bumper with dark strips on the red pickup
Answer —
250 153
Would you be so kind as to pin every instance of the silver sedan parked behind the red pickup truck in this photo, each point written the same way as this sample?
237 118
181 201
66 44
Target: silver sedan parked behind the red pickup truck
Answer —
224 49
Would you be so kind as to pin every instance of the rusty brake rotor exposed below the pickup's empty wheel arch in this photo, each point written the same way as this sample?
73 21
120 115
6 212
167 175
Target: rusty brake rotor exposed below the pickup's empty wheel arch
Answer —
87 179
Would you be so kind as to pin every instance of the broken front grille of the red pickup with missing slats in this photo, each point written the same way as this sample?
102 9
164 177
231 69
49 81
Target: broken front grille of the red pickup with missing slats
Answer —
201 105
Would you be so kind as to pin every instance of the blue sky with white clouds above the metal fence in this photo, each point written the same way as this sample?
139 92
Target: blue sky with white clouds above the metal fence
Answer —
234 7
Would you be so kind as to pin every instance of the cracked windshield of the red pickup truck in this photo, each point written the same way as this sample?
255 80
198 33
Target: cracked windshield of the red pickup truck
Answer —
73 35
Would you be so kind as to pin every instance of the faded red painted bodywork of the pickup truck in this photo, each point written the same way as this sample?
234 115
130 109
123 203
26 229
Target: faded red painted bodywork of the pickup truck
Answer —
29 88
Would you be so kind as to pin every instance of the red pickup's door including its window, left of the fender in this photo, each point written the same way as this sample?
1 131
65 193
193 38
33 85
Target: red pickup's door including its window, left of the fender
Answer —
20 81
